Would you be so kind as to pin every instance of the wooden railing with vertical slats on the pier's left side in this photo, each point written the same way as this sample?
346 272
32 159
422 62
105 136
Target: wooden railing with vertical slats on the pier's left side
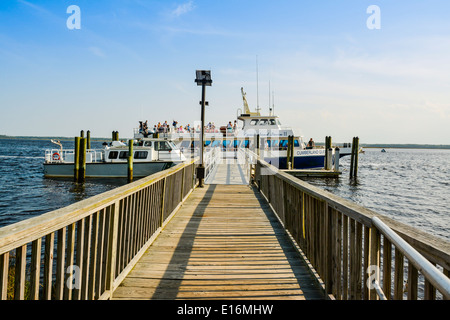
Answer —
85 250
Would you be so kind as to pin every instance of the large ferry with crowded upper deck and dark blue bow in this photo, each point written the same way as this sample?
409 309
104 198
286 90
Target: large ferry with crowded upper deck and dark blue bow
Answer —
273 143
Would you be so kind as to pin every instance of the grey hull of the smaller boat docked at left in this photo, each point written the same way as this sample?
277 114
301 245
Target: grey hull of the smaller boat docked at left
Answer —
106 170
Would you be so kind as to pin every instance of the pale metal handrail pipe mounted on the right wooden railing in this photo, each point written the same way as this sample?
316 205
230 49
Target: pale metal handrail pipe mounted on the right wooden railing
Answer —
433 275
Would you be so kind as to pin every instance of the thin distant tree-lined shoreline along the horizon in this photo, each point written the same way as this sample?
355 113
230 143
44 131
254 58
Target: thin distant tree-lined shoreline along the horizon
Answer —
364 145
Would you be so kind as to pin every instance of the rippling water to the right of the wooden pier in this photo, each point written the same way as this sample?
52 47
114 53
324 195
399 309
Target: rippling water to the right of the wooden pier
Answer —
409 185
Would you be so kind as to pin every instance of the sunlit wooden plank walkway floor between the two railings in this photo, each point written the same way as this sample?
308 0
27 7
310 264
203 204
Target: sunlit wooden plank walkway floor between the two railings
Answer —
224 243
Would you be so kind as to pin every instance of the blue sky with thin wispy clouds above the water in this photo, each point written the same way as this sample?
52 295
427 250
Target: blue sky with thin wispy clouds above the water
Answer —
135 60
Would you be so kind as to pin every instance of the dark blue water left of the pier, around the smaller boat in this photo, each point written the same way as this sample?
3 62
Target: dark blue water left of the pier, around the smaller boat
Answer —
25 193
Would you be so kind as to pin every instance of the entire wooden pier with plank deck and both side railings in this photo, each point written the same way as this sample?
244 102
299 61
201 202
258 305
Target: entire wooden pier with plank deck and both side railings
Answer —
253 232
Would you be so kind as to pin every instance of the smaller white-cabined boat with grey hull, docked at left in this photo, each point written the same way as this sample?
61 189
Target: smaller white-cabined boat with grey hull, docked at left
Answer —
150 156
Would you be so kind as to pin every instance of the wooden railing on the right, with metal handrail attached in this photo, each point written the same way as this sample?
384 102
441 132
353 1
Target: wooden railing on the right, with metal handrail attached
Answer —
349 255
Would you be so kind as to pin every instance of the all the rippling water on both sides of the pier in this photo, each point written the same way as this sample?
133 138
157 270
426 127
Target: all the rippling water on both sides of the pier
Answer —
409 185
